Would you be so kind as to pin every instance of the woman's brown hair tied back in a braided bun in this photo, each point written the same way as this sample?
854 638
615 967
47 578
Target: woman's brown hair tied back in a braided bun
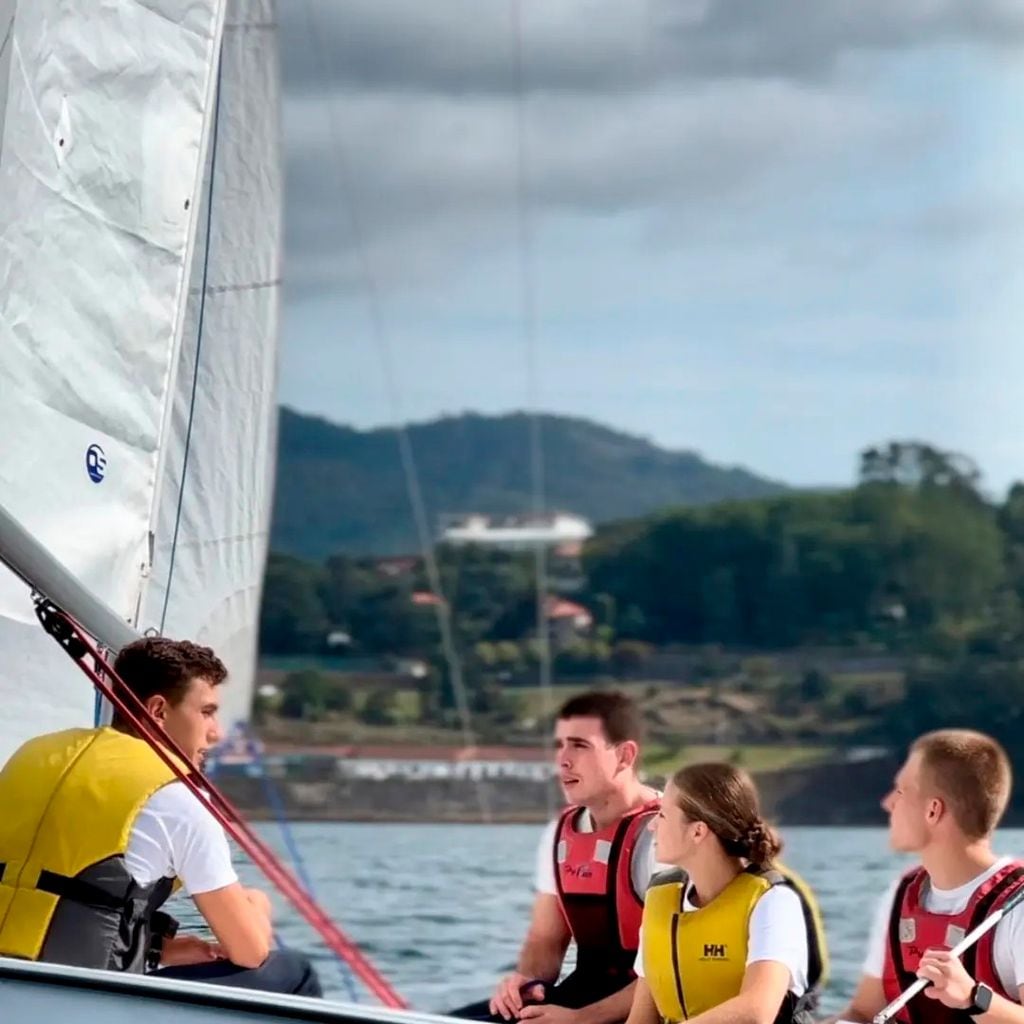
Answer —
726 799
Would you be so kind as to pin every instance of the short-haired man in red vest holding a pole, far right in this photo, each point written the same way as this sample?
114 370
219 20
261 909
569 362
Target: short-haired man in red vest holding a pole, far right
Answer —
945 806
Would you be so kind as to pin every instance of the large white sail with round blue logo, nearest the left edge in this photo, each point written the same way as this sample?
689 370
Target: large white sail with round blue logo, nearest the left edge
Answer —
105 132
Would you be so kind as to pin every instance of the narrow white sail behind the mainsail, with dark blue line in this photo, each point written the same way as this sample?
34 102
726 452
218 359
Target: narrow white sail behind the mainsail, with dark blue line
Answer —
214 522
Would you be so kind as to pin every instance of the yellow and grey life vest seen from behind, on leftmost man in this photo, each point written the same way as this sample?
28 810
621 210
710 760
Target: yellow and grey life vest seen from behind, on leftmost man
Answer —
70 800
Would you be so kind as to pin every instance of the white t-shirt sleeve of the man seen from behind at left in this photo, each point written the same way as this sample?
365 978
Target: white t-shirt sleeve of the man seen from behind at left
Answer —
175 836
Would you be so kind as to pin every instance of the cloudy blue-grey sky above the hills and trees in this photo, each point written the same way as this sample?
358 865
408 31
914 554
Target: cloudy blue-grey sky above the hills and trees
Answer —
774 233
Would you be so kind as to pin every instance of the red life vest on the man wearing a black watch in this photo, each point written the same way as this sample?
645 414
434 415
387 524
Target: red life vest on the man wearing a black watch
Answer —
913 930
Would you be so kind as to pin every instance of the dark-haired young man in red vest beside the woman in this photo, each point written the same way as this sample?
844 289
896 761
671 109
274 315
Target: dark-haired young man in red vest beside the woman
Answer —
594 864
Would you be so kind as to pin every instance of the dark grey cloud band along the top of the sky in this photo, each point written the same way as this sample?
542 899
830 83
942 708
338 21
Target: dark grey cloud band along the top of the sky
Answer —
467 47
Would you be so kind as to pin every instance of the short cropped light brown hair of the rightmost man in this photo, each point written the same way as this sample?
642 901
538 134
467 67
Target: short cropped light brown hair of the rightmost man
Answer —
971 772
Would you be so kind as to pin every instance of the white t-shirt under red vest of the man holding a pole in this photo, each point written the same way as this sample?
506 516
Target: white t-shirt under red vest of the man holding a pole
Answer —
1008 947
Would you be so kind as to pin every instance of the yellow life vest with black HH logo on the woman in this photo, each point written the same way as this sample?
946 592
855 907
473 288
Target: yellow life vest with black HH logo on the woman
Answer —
696 960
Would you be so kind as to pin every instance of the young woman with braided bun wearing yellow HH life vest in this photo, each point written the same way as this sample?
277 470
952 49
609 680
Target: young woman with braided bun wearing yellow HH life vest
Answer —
732 937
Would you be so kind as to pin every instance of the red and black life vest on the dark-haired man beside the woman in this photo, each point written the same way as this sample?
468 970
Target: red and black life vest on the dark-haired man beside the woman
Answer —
595 890
